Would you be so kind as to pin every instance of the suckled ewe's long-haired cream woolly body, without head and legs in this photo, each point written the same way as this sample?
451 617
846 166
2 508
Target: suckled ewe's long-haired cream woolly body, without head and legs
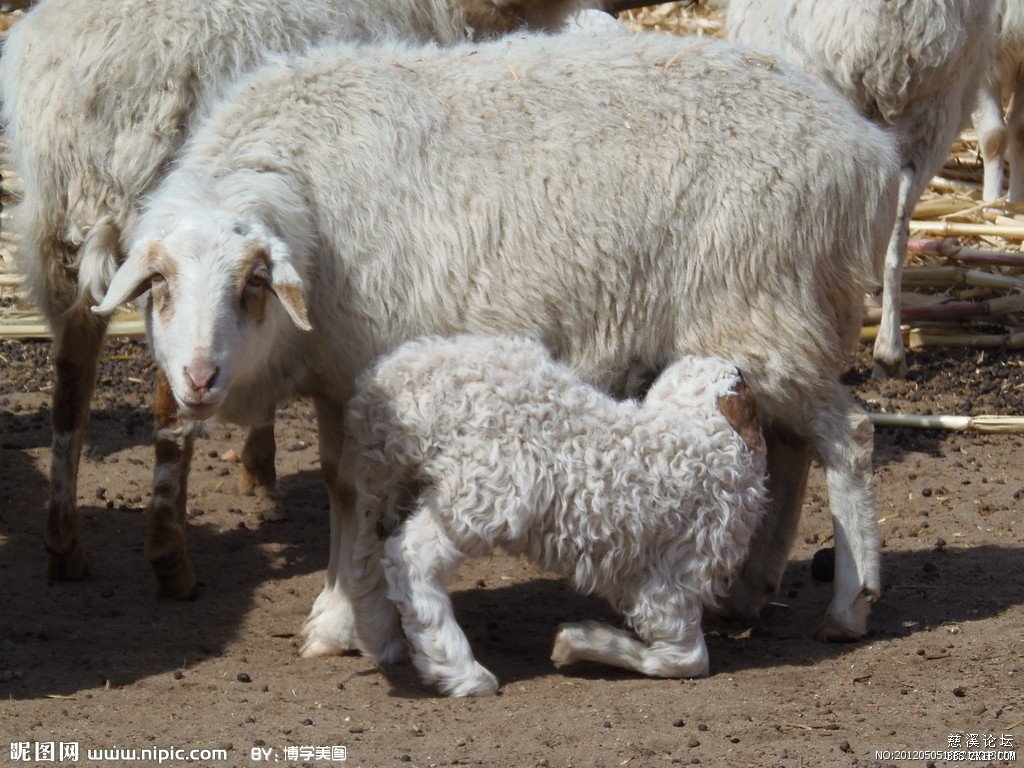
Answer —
572 188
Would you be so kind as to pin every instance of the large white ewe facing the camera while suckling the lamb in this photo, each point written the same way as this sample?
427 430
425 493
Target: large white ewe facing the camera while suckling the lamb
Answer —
625 200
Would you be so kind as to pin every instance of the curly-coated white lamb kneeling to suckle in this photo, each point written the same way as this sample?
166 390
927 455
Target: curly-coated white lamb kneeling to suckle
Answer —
466 445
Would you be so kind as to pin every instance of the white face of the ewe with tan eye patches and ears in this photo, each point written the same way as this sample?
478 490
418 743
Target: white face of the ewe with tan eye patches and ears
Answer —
221 289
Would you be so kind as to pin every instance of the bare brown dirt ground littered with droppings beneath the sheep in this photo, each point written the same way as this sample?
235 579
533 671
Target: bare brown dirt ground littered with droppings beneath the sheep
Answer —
104 664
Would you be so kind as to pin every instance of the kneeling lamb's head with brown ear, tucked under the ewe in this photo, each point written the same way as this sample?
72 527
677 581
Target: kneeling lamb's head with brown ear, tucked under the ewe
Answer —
701 386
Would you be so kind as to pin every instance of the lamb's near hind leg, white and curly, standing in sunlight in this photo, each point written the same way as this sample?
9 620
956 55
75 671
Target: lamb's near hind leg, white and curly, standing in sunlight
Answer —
418 559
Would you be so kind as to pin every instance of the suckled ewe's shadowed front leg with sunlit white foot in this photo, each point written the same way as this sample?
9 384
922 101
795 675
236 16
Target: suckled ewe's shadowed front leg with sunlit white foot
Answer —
331 626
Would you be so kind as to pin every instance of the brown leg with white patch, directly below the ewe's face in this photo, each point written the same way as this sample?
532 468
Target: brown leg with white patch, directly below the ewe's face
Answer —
175 439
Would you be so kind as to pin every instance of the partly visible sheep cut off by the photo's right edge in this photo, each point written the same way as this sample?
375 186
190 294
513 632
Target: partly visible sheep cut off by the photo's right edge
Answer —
999 139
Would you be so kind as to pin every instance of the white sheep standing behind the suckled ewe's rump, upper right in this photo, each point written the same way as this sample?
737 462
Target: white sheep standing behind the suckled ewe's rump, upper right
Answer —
912 66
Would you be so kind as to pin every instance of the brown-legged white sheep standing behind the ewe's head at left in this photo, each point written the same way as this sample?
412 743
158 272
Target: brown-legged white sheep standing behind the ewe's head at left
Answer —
97 100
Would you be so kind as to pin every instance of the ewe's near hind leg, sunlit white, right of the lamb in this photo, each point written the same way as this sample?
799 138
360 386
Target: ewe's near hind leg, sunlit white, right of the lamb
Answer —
842 436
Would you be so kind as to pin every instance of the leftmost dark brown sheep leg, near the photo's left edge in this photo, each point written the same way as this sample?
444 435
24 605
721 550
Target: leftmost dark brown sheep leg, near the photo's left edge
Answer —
78 340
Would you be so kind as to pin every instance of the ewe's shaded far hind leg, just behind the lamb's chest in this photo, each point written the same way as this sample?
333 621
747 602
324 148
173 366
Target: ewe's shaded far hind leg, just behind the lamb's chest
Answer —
789 461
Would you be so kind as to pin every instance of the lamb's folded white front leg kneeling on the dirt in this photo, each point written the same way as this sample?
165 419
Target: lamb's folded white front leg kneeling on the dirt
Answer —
670 626
